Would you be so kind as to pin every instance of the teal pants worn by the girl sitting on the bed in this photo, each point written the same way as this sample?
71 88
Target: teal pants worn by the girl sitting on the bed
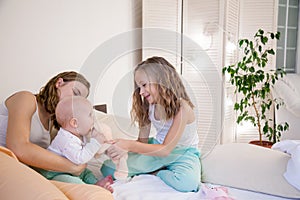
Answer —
180 170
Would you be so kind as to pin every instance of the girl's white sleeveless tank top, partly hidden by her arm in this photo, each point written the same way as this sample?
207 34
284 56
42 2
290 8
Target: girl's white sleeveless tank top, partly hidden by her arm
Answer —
189 136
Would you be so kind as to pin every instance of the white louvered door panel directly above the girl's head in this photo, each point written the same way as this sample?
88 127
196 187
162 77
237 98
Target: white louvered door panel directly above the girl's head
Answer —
161 30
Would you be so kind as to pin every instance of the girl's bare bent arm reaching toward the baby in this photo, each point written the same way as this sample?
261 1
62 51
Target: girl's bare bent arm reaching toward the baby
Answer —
183 117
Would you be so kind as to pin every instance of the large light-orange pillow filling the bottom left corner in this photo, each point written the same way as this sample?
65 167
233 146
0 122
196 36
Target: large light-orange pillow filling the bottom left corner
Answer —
18 181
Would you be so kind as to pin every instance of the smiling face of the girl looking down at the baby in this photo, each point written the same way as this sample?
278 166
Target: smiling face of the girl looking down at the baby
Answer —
147 87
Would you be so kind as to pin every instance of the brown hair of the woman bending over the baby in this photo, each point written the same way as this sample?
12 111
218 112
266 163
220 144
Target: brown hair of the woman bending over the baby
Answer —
48 95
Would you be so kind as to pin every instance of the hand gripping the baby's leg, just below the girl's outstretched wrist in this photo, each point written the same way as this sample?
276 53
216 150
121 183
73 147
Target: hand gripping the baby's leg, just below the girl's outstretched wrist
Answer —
118 148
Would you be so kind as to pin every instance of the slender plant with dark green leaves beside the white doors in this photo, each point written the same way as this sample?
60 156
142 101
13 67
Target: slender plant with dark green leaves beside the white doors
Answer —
253 83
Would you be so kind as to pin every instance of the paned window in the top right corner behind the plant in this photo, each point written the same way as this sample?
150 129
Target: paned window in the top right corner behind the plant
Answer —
288 27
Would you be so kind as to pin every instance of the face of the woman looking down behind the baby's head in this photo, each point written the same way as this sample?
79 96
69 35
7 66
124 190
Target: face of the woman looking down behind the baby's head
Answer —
72 88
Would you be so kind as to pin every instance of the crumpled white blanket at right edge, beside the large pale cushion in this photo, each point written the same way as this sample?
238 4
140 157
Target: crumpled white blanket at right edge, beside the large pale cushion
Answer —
292 147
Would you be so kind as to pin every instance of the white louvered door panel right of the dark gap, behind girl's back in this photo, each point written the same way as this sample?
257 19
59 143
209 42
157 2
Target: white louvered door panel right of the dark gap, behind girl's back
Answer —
202 53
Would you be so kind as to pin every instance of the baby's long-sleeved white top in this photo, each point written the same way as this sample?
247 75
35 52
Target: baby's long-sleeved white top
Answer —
71 147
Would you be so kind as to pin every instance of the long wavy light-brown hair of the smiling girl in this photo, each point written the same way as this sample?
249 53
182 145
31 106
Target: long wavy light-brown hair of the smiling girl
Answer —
168 84
